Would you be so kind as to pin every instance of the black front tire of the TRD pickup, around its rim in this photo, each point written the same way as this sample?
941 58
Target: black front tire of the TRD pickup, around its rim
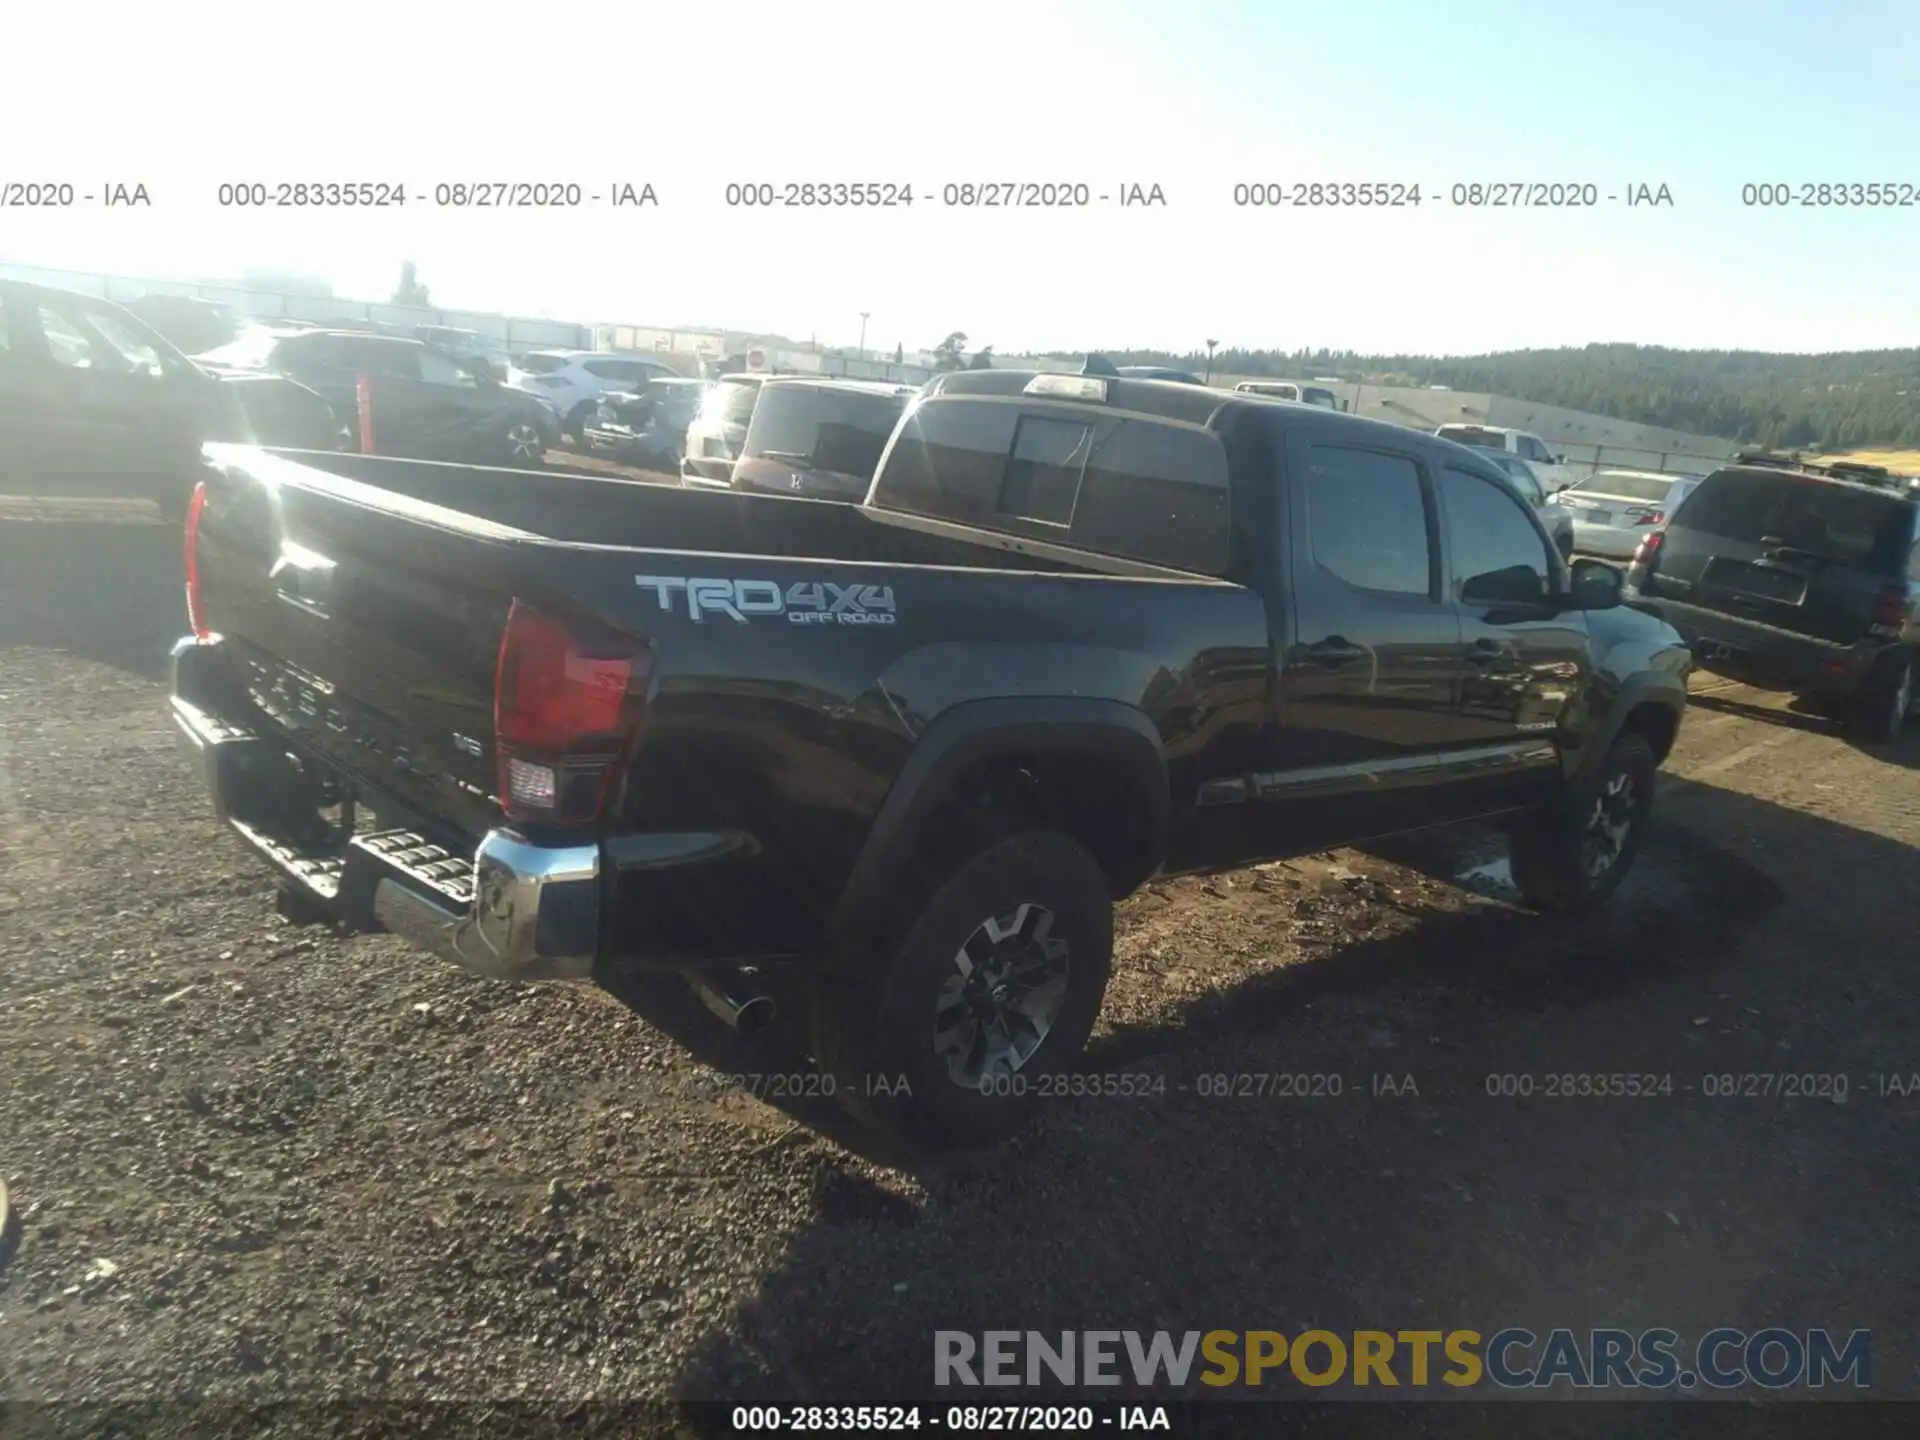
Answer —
1552 863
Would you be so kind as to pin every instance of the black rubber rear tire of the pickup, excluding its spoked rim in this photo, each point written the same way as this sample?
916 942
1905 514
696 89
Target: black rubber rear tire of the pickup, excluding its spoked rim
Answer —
875 1009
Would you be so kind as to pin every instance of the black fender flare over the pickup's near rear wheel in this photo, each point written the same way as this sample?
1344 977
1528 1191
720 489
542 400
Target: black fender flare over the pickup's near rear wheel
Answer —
980 731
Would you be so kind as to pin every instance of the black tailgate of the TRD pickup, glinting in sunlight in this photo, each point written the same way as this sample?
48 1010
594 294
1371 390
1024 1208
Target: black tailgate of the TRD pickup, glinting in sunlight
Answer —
368 627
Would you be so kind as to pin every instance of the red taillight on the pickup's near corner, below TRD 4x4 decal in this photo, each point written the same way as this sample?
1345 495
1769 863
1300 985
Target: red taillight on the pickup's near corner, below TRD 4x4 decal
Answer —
567 704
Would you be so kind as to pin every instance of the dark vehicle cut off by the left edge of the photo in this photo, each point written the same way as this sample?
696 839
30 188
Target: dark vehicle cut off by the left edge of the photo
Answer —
95 402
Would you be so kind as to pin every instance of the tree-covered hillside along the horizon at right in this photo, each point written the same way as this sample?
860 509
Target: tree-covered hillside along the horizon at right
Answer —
1844 400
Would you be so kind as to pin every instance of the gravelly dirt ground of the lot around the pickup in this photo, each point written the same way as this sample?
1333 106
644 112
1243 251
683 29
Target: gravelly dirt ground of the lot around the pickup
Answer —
262 1163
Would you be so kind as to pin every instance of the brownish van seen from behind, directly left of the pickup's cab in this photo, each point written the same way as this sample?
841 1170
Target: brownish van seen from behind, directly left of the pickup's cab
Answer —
819 439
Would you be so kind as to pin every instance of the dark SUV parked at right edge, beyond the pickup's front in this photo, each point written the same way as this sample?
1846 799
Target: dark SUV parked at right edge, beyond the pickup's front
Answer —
1796 577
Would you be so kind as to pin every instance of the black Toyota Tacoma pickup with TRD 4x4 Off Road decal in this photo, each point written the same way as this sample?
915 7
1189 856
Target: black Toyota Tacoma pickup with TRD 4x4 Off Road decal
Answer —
1082 633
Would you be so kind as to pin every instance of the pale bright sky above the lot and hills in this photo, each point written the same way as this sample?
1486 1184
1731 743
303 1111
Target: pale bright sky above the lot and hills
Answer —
1193 97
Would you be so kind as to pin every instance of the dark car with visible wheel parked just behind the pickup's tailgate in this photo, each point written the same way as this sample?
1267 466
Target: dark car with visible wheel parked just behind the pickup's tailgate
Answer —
425 404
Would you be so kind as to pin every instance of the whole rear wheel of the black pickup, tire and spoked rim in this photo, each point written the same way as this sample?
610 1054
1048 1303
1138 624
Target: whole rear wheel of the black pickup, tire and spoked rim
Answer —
955 1032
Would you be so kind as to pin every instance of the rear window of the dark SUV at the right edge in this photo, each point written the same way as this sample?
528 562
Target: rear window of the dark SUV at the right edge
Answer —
1831 521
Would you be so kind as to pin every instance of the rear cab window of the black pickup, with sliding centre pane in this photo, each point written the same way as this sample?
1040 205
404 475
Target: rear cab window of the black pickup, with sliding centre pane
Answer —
1116 485
